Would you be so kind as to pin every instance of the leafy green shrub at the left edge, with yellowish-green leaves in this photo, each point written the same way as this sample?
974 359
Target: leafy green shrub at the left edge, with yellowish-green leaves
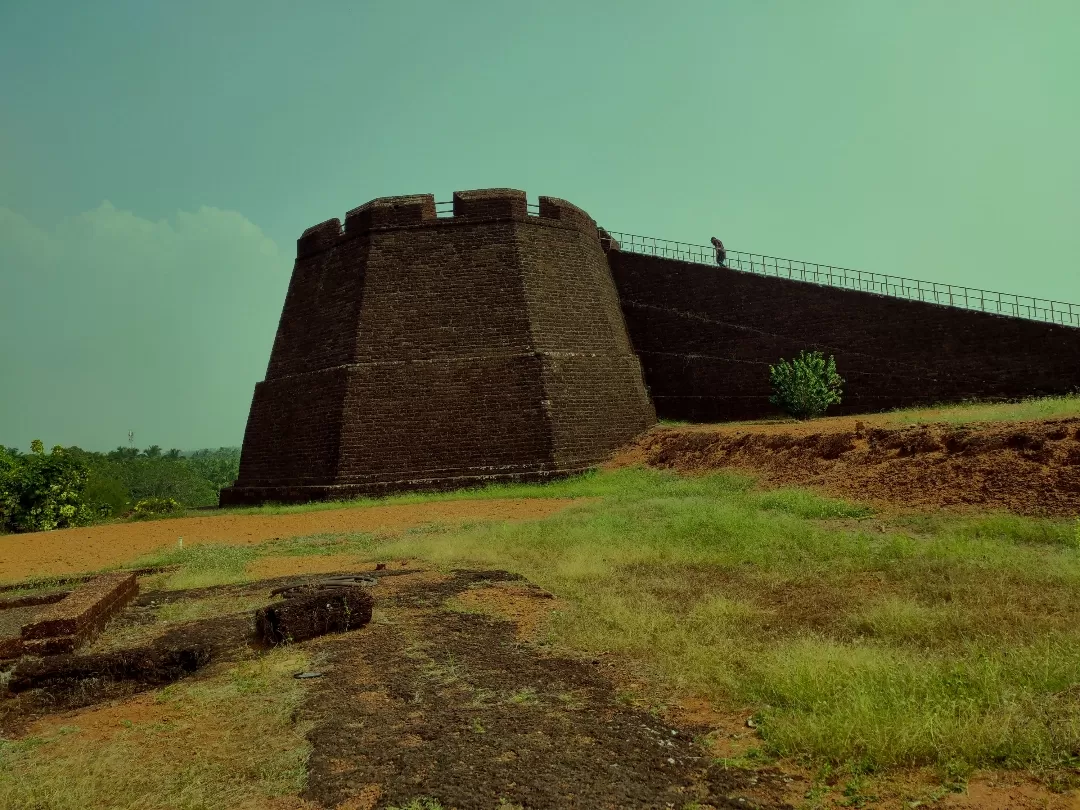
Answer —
40 492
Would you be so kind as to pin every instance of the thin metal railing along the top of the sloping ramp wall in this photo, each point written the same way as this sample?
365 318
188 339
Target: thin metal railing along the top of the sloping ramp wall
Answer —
950 295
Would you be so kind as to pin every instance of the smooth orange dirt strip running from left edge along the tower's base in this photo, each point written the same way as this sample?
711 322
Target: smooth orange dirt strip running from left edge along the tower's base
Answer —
75 551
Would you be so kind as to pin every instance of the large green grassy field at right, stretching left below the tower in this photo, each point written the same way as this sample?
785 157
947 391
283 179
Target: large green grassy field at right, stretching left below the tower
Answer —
862 644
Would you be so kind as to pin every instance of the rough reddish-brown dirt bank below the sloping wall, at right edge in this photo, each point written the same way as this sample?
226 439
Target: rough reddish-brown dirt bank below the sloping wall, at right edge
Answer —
1028 468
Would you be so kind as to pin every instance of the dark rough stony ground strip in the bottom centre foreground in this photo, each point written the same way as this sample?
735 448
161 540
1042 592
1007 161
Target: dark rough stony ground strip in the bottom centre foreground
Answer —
453 706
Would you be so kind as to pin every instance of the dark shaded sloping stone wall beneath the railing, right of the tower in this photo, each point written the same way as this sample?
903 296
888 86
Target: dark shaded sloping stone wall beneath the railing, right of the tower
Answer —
706 337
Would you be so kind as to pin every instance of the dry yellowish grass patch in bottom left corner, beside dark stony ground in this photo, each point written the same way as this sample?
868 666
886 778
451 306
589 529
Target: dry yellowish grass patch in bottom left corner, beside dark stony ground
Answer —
222 742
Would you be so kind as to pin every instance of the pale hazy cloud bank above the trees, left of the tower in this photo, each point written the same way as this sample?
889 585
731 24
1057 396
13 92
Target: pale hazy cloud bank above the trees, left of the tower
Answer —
111 322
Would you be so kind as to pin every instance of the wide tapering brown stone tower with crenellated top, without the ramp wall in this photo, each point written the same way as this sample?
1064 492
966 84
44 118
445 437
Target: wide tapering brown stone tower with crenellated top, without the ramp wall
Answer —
422 353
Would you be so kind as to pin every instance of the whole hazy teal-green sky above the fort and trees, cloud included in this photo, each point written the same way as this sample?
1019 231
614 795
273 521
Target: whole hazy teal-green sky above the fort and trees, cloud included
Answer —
159 160
